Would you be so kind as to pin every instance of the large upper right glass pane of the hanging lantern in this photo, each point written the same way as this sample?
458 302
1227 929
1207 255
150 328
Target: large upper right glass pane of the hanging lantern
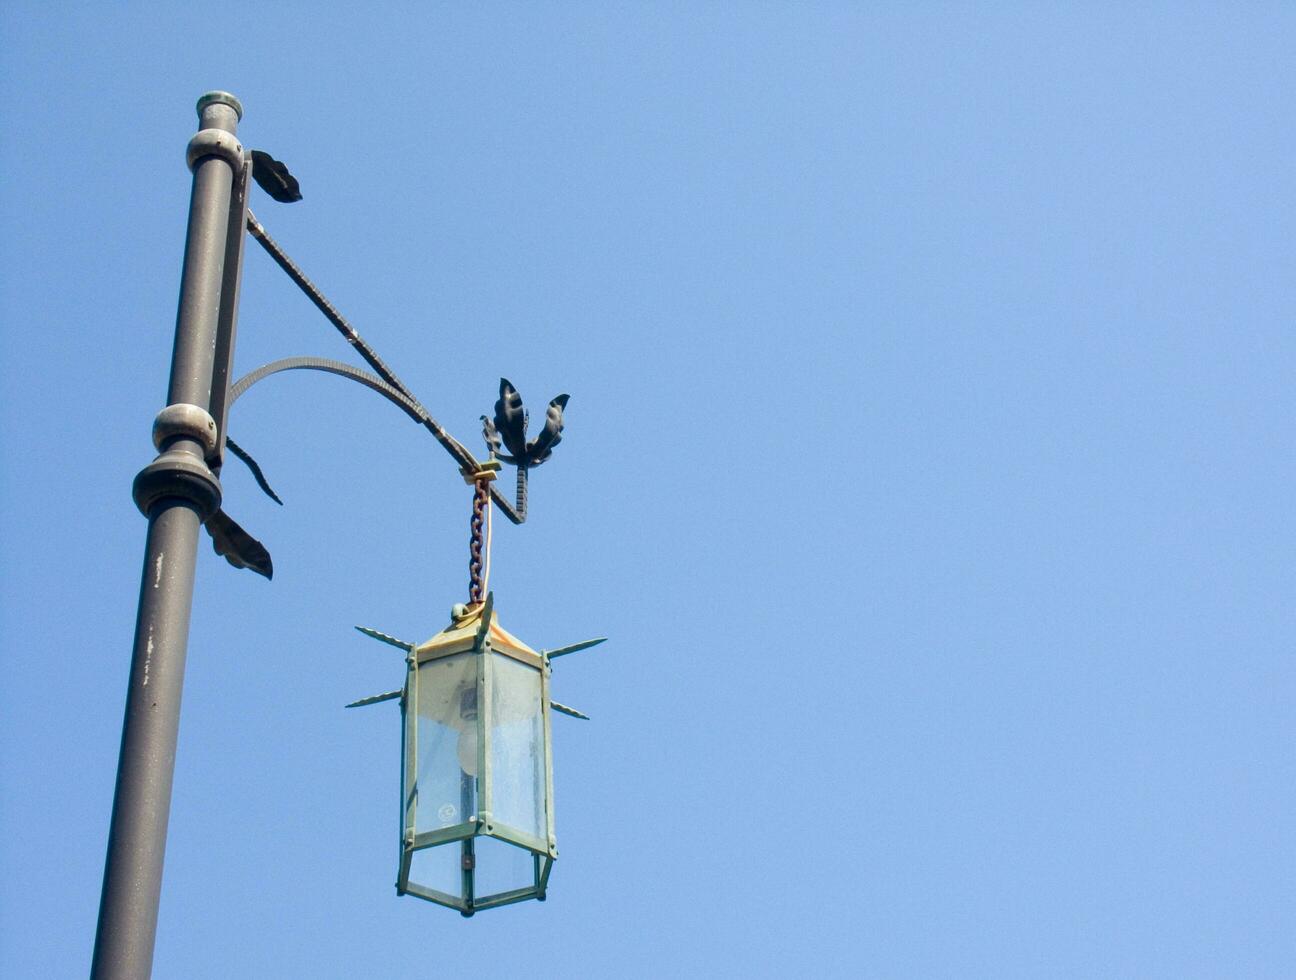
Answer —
518 747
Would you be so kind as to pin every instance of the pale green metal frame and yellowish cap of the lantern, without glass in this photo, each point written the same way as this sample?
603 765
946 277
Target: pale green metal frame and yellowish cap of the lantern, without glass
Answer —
479 635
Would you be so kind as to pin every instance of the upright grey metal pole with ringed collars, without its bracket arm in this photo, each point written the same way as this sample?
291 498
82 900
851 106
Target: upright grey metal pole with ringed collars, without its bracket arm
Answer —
177 493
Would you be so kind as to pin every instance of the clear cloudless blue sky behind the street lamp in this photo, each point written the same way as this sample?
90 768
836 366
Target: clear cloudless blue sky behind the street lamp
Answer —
930 463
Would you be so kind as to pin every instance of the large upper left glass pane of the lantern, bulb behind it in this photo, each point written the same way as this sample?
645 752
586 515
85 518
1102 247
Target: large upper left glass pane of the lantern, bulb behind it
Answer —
448 740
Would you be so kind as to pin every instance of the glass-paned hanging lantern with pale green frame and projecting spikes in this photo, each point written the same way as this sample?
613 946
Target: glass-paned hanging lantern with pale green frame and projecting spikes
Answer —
478 775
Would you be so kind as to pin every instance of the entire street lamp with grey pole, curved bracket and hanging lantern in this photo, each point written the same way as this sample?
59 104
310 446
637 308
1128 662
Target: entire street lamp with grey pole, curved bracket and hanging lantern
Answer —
474 680
